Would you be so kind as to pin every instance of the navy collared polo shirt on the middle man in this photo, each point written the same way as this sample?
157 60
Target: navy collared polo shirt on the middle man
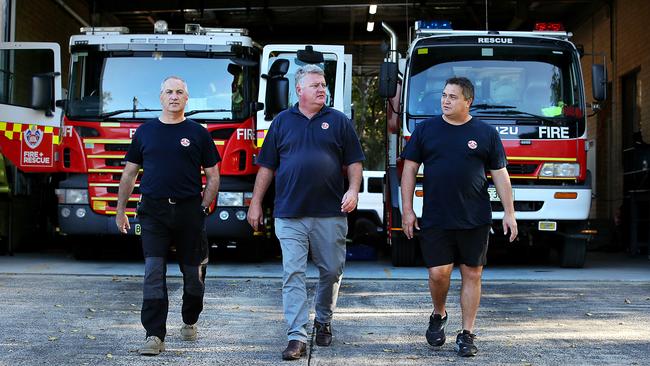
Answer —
307 155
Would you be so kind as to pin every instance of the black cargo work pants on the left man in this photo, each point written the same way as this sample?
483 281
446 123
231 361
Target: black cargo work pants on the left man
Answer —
181 223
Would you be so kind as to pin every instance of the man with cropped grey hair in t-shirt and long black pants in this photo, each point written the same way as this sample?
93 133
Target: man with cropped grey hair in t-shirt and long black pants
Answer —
172 150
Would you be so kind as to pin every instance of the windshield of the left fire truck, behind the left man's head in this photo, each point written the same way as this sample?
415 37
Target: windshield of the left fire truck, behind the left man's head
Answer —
106 85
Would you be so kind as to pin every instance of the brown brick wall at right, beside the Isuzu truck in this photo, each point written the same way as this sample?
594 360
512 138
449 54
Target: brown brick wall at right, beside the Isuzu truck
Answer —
619 32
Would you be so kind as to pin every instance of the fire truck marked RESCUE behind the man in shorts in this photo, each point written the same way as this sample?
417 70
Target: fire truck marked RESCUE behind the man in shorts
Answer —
529 87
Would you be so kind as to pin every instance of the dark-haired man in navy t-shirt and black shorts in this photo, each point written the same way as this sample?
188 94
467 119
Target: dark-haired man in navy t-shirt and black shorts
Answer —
456 150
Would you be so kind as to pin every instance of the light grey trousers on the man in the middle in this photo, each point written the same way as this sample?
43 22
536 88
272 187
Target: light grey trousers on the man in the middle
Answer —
325 236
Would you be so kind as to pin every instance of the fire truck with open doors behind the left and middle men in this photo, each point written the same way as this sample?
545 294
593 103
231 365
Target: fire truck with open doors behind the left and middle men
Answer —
78 140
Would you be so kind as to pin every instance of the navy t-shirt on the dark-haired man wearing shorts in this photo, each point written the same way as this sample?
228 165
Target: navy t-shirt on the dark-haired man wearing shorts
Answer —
455 159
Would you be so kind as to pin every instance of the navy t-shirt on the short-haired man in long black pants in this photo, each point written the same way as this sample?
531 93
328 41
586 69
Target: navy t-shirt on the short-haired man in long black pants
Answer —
172 156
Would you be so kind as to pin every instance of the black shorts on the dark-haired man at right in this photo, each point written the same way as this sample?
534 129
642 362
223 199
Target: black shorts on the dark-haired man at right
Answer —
467 246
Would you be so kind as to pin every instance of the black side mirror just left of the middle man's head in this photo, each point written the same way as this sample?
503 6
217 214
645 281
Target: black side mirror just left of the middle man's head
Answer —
277 89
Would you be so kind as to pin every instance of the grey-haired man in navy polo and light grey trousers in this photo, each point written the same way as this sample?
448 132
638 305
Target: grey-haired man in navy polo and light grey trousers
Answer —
307 147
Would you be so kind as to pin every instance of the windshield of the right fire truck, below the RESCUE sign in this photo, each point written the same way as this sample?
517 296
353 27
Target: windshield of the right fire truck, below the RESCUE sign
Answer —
510 82
